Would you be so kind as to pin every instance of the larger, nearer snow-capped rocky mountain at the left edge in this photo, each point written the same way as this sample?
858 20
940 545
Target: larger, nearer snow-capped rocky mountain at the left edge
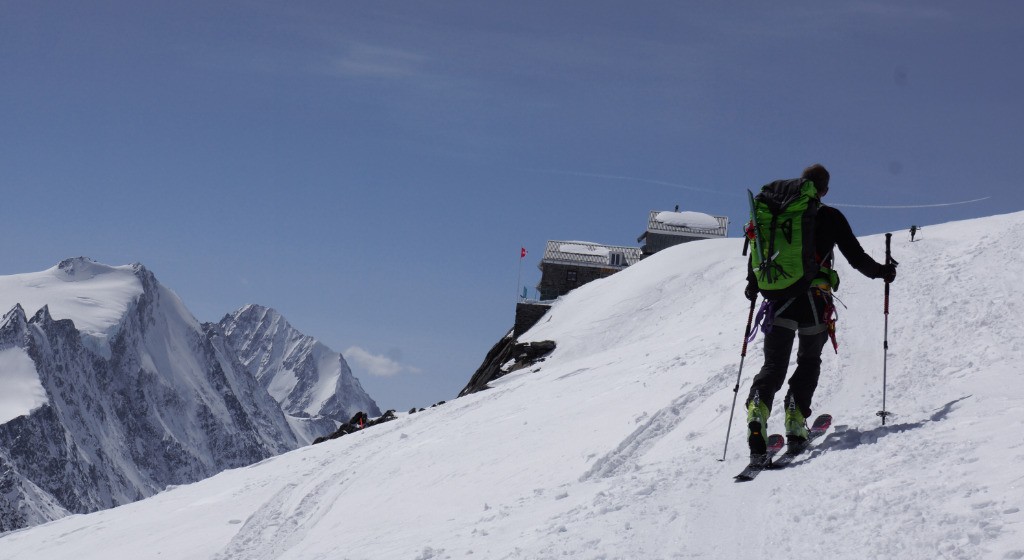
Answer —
142 398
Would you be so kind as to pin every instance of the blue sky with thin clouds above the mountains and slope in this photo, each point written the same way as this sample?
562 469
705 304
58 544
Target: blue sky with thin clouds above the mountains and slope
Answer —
371 169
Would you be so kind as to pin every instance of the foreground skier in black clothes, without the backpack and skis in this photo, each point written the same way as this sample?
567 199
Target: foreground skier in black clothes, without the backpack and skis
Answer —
810 318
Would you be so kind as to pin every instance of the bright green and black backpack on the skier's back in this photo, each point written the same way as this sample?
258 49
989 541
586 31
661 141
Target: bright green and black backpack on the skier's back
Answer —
782 232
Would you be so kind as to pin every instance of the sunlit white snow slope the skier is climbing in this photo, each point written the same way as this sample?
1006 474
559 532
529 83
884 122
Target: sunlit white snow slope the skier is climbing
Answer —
611 448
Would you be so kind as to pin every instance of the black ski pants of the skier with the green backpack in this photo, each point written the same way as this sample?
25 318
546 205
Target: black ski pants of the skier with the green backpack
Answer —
802 317
